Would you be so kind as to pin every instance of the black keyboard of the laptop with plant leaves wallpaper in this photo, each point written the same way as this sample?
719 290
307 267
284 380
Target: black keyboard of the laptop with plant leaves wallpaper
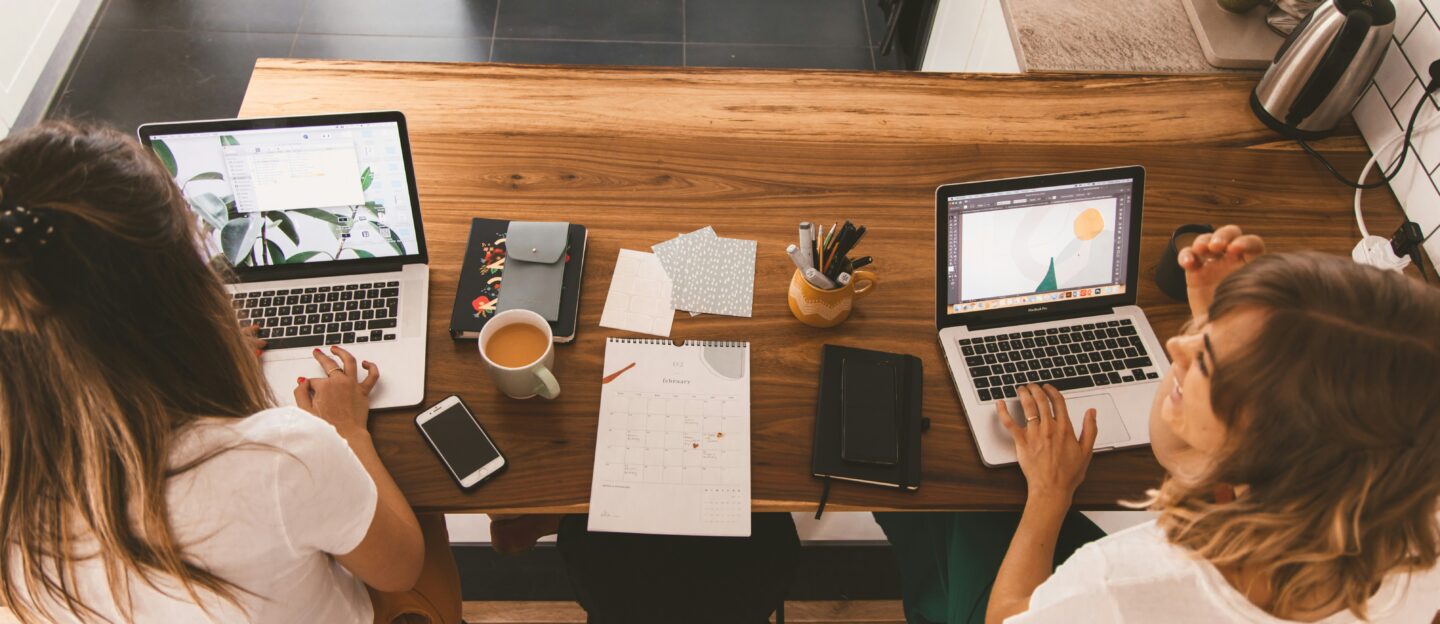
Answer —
318 316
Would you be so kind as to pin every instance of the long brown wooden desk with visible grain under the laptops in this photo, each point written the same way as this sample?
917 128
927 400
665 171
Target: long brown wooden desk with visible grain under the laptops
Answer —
640 155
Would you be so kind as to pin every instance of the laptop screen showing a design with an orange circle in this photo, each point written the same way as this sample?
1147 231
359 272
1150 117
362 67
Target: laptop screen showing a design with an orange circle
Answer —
1027 247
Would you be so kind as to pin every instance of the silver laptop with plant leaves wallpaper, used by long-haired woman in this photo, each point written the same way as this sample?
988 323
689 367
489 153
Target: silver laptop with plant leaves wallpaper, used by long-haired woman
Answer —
320 221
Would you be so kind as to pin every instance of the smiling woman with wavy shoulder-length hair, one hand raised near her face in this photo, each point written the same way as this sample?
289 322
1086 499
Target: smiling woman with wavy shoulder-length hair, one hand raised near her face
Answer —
1300 426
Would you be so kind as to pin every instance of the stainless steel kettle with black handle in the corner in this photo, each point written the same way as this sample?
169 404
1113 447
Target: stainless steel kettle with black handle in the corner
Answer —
1321 71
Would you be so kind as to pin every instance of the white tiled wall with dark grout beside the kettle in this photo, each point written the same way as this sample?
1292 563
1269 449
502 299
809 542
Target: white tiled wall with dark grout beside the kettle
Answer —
1387 106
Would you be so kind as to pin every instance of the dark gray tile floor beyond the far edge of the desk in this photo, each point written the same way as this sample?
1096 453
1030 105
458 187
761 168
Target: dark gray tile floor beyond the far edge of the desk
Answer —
186 60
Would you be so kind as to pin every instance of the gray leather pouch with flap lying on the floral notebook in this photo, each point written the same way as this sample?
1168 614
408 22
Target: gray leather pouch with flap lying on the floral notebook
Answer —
535 267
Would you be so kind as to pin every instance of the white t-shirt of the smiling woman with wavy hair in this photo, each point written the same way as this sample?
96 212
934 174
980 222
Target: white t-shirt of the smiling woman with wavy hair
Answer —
1137 576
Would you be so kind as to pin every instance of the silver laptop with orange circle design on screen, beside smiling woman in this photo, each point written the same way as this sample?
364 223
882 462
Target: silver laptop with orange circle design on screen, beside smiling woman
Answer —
1036 283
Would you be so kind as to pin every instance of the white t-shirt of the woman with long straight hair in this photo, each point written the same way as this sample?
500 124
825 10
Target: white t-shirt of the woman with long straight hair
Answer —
266 515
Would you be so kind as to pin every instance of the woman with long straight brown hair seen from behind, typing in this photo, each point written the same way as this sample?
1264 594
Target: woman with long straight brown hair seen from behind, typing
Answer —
145 471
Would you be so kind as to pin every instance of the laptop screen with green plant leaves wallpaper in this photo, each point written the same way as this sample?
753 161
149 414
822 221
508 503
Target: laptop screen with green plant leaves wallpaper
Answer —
284 197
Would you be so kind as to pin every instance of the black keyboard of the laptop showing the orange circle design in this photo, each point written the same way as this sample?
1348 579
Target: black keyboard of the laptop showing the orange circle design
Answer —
1084 355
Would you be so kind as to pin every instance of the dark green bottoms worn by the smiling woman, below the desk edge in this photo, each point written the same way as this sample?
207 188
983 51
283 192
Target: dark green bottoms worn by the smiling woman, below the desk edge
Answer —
948 561
